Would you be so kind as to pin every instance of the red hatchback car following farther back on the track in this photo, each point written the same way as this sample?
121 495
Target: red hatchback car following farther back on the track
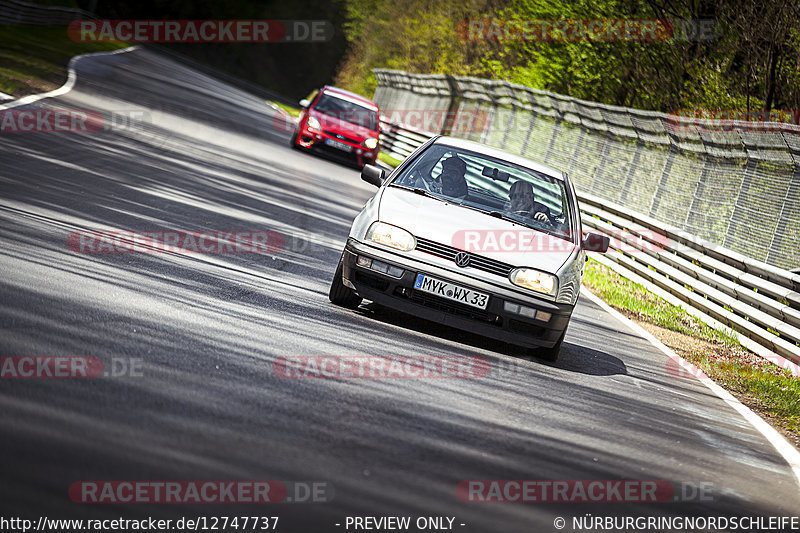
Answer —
340 123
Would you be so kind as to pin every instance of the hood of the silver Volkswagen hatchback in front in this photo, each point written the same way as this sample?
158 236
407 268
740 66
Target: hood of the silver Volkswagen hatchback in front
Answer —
473 231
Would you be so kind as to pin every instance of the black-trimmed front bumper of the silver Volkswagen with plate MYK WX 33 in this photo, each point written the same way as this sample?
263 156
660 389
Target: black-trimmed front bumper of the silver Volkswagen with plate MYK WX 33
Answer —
493 322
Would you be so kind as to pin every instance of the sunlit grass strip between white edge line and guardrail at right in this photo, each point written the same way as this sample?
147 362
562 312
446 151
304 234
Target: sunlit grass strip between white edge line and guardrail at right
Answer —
764 387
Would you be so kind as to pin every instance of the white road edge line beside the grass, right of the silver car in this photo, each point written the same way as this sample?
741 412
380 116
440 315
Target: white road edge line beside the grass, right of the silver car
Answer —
786 450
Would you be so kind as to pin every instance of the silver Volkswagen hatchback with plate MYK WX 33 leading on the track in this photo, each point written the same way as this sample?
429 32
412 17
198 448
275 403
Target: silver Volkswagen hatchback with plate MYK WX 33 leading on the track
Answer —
471 237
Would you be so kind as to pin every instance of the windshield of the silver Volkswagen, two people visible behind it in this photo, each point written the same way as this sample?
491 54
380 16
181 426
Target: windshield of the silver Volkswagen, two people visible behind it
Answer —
495 186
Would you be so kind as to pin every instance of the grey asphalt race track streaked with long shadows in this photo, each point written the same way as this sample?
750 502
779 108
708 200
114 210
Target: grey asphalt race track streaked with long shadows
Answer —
204 329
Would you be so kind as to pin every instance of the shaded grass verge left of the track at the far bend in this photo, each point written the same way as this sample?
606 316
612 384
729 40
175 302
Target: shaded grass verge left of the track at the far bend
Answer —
34 59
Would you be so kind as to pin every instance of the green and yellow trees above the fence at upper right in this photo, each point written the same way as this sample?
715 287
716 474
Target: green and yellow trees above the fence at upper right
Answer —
752 61
